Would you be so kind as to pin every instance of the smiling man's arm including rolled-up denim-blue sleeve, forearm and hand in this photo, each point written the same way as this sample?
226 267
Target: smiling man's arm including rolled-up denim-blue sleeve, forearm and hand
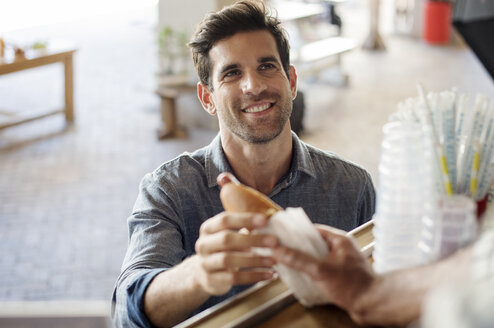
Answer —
150 290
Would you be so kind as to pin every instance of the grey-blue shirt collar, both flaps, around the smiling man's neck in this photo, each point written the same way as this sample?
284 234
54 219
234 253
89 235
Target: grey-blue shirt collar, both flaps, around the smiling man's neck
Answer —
216 161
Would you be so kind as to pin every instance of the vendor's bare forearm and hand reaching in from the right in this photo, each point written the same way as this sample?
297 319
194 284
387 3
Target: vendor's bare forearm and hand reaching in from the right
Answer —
347 279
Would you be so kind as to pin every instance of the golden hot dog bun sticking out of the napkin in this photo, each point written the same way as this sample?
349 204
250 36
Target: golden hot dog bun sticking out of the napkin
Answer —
237 197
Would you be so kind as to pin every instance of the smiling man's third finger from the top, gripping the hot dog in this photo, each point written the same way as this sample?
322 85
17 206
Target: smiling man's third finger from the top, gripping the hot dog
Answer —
232 260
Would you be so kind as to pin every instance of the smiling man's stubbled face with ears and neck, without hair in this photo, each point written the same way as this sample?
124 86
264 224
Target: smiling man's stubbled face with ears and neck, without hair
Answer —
252 95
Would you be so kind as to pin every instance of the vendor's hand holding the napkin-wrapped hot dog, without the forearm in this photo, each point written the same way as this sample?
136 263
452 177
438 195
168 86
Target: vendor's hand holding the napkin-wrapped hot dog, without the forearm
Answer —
341 276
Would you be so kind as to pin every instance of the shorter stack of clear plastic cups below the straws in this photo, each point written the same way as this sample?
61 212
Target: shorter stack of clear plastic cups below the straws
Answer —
453 227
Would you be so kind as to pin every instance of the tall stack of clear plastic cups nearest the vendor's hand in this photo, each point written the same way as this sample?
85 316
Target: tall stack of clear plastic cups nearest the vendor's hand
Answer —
406 192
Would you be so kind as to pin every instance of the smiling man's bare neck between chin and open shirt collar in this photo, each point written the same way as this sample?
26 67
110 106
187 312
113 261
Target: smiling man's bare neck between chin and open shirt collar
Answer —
259 166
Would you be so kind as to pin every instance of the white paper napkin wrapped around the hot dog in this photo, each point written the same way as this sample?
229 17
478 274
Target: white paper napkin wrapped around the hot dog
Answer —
295 230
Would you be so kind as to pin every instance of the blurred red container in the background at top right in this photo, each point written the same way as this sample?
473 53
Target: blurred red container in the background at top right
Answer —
437 22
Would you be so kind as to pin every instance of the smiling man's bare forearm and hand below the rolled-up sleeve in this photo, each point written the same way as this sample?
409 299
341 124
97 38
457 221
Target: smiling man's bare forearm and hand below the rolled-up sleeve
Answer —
223 260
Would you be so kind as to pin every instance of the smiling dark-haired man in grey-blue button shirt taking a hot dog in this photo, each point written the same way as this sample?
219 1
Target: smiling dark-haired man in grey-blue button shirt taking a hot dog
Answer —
185 252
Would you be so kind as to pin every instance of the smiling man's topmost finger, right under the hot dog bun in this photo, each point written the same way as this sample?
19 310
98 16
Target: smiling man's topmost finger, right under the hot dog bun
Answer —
233 221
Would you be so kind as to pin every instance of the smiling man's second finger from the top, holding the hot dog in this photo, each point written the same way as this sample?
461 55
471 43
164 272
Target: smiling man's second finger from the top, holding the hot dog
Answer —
233 241
